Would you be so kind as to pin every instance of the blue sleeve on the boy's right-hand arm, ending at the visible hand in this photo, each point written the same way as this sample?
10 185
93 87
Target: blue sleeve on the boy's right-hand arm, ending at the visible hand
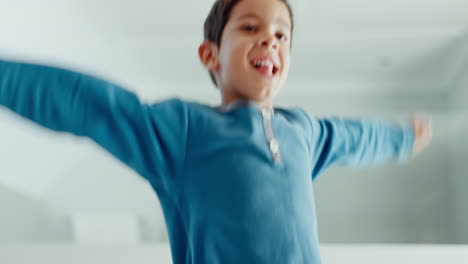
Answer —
358 143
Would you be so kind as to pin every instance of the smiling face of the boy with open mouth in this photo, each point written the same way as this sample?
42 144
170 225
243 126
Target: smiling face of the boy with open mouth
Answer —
254 55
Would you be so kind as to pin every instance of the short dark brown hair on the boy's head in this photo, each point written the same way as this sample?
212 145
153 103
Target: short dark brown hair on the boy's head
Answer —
218 18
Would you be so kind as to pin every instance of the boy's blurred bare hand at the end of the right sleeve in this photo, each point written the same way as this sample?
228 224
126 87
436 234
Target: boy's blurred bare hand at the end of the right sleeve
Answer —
422 128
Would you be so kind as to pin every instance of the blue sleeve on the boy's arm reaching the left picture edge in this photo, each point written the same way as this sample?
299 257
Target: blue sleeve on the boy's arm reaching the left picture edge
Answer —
148 138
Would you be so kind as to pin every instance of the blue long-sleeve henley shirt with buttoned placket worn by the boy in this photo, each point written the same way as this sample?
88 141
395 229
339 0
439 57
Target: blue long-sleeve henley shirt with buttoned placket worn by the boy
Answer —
228 194
